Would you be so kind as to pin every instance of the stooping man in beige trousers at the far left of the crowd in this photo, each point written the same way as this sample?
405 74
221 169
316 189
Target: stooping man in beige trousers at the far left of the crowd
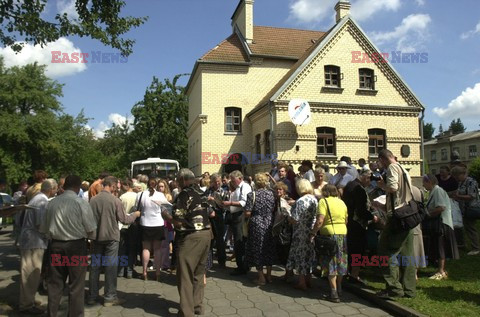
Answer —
32 245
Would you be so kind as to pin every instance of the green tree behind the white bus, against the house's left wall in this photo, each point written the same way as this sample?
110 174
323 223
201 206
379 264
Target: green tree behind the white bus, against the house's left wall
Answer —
160 124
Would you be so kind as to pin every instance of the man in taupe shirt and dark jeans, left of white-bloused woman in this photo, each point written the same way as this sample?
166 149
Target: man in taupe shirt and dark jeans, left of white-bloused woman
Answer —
108 210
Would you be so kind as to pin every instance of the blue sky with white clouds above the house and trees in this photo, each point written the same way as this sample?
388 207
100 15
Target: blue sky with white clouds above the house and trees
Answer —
180 31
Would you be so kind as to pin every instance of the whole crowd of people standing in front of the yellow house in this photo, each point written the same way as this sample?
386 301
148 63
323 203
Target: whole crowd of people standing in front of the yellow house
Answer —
273 218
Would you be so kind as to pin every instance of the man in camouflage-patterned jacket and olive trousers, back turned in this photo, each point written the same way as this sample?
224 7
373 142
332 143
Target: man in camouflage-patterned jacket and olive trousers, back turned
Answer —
192 225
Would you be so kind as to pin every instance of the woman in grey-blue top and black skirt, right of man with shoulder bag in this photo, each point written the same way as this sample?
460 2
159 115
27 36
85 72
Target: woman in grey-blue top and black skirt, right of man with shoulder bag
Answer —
443 244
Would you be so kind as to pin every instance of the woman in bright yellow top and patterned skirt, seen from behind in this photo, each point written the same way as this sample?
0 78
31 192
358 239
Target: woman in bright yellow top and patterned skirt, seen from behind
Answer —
332 218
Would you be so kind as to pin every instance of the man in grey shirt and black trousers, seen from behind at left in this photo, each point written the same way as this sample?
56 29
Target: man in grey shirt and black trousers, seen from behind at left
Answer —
69 221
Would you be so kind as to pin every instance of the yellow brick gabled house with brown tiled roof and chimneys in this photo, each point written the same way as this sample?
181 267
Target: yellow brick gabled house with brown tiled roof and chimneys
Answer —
239 93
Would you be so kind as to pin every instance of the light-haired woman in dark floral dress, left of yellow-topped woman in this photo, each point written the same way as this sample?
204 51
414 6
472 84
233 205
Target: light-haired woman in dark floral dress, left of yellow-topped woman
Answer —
302 253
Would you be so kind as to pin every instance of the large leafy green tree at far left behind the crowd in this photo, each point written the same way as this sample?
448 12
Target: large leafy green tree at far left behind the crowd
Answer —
34 131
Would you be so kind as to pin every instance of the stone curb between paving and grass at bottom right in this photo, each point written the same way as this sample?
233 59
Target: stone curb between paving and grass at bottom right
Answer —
390 306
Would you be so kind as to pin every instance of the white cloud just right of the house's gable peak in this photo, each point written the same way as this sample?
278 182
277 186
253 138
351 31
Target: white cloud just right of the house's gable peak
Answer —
409 36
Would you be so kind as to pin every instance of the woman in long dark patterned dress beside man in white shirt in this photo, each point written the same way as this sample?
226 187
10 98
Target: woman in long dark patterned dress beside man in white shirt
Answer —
260 208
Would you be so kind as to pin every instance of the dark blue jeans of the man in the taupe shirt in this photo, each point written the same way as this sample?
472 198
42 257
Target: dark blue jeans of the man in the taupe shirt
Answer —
109 249
